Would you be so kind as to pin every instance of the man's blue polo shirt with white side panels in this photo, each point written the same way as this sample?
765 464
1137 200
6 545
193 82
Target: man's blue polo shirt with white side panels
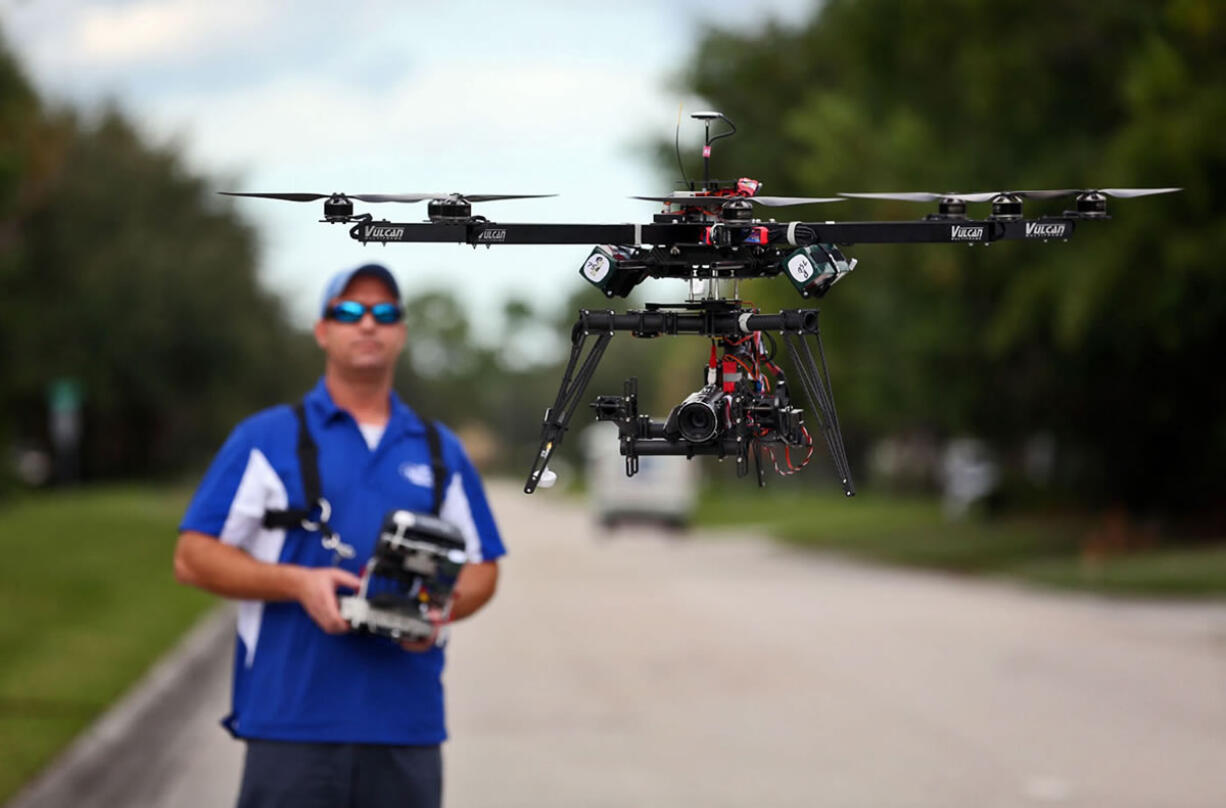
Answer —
294 682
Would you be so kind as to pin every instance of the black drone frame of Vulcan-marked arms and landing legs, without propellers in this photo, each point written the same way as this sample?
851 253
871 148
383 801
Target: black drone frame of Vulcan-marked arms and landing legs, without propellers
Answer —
708 250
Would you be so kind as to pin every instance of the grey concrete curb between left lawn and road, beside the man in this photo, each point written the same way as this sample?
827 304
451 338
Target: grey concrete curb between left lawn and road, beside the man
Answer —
101 764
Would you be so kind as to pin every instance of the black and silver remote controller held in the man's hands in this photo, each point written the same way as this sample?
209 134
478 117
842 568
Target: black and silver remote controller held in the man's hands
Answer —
414 571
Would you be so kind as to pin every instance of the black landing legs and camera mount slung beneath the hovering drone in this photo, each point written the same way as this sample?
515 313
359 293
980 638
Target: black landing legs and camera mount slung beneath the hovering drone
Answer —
746 433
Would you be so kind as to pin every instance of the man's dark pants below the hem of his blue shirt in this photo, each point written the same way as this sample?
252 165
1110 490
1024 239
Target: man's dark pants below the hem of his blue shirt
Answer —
340 776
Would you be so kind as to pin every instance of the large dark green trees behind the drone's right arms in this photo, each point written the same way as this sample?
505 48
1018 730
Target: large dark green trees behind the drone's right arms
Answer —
1111 343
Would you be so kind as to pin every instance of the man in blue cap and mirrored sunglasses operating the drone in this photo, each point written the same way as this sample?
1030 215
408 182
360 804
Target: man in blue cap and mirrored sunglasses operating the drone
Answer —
334 718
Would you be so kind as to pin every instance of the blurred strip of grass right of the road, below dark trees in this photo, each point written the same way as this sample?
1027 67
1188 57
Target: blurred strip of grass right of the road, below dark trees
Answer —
912 532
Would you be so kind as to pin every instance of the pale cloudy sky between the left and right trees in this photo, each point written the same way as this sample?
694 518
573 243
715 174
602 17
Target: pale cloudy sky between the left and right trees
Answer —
383 97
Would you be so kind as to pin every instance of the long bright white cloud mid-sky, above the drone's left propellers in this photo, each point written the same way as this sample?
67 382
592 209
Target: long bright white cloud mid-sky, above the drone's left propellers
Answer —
487 112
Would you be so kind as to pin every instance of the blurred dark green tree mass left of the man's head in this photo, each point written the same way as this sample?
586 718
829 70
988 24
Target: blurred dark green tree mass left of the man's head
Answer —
123 273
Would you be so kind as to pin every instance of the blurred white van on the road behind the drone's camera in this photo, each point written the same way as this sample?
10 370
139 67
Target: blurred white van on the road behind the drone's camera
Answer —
664 491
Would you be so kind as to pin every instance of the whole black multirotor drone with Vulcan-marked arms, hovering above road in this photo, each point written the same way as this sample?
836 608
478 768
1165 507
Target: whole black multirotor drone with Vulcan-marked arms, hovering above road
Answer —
708 235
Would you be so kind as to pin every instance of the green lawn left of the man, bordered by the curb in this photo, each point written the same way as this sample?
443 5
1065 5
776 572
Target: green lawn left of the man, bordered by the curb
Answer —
88 603
